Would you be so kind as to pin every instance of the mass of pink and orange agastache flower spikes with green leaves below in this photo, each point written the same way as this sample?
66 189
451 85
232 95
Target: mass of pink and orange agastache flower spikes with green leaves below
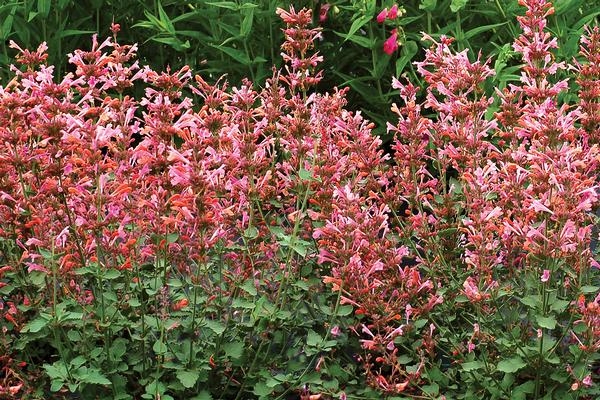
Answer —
221 240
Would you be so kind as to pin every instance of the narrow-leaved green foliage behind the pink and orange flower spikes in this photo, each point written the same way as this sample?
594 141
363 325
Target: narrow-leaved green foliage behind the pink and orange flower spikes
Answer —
241 38
